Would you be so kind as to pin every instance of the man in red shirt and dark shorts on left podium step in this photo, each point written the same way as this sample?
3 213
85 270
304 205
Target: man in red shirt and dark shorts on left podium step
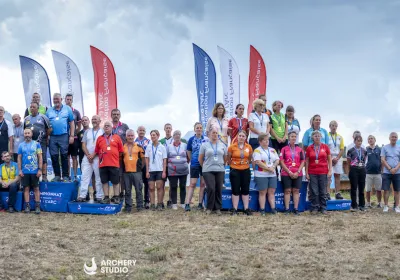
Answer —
108 148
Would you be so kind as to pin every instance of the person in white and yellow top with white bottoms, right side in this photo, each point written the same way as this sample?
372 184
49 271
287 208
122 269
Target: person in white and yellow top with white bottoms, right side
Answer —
336 145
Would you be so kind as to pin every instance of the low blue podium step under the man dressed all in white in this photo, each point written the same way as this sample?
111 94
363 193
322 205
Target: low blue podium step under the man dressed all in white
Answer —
94 208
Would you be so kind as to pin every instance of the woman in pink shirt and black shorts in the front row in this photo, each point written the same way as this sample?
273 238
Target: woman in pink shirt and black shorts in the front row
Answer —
292 162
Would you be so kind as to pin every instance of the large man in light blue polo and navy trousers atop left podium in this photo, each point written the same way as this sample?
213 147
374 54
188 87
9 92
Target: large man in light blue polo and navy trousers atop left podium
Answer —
62 121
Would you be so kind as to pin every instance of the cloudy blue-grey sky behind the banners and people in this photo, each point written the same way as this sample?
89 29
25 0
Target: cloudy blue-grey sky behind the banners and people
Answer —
339 59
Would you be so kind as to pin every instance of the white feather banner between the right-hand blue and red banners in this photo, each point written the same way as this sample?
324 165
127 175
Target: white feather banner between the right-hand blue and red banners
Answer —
230 79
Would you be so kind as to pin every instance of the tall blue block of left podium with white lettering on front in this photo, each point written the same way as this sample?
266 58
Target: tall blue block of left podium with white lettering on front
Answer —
54 197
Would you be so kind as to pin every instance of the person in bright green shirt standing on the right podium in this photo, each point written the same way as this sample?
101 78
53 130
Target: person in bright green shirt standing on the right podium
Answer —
279 131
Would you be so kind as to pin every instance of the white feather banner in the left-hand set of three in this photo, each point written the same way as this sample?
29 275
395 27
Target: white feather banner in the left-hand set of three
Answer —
69 79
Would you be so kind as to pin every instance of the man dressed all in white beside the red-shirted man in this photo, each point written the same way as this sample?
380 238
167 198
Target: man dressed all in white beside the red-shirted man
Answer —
90 162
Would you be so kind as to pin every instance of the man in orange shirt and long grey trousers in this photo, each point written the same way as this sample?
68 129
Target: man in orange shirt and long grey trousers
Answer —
134 162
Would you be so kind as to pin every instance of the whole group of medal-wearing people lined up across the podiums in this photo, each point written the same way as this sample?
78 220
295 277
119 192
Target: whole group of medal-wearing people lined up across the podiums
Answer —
267 141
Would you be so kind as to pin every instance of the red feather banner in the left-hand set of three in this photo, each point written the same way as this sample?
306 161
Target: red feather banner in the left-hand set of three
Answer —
105 85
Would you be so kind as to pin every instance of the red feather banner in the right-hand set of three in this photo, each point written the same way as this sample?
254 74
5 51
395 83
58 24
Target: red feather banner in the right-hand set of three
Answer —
257 77
